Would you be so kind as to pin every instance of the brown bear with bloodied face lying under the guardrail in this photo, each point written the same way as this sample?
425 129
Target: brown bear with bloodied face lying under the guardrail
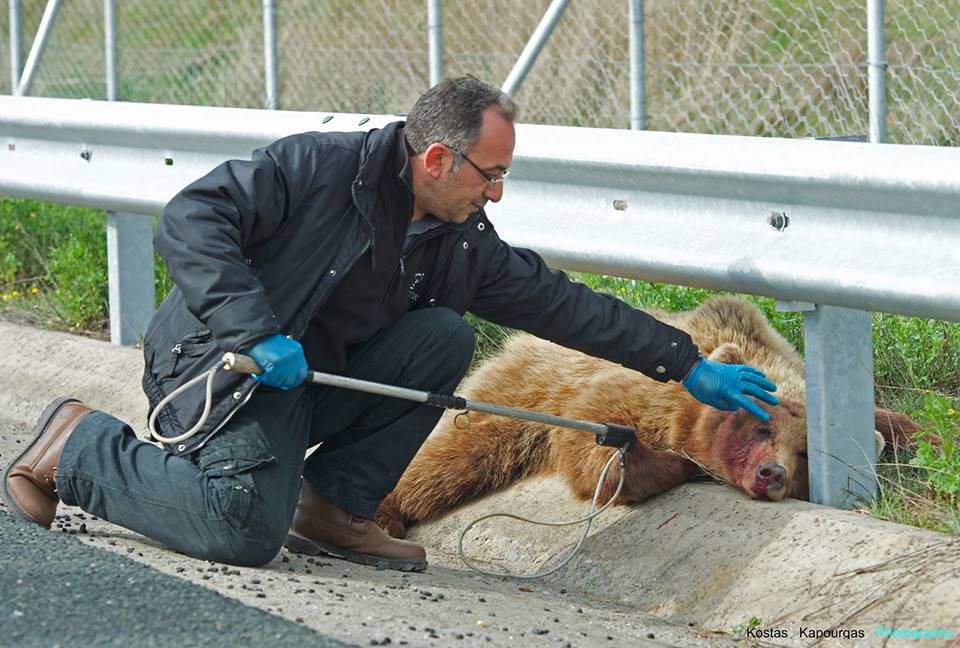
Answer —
678 437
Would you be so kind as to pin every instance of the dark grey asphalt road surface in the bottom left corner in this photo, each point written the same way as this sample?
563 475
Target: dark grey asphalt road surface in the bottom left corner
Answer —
57 591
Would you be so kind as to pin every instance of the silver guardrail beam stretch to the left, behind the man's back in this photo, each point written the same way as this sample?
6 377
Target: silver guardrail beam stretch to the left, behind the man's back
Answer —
129 157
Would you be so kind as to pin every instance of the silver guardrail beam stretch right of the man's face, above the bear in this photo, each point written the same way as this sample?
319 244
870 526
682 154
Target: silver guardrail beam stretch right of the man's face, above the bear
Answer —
872 227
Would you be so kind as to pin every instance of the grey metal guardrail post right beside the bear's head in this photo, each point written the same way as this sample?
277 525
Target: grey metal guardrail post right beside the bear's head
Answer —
840 407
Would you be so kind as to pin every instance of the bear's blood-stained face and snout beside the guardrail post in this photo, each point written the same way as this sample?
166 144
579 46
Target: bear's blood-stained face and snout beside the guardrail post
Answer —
767 460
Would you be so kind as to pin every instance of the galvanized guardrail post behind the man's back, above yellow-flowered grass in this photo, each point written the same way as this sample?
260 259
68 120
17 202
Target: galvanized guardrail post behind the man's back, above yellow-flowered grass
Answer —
130 273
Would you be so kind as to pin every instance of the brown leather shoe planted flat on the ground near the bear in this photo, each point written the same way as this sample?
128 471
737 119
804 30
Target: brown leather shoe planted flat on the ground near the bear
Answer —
321 527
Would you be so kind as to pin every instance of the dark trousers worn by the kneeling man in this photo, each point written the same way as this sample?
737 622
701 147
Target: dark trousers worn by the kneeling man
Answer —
232 500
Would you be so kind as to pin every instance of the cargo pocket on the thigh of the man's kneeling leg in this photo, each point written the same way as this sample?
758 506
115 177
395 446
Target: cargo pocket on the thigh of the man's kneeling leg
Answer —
232 490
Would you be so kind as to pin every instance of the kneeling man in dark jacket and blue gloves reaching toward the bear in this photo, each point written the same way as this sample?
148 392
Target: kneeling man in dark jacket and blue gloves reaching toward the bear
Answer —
357 253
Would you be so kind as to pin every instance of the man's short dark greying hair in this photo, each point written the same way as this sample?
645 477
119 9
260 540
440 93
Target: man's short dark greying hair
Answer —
451 113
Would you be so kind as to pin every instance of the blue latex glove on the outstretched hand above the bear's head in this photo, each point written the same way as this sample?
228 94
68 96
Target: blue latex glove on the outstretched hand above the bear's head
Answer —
726 387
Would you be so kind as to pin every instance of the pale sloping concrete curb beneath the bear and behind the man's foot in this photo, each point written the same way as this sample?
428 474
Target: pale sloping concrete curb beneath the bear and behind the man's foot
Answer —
701 554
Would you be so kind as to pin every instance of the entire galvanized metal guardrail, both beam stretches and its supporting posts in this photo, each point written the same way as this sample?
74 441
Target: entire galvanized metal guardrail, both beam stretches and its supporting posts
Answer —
835 228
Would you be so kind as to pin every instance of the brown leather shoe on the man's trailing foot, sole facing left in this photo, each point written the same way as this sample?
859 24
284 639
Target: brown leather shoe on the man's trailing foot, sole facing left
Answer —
29 482
